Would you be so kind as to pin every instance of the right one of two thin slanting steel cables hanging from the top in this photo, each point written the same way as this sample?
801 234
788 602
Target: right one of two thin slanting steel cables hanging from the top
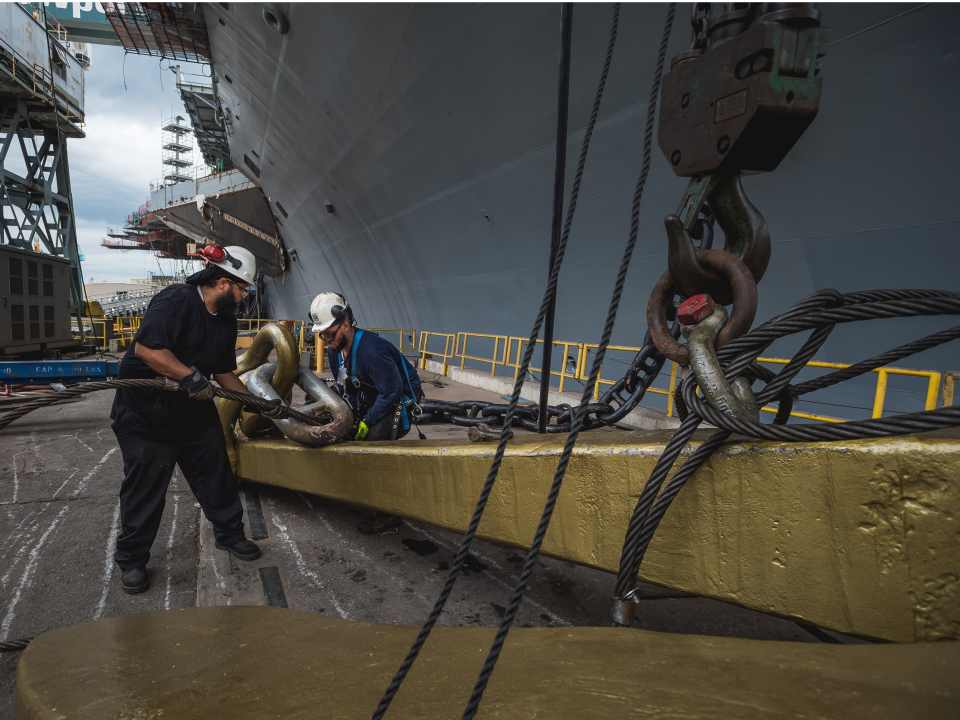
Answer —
532 556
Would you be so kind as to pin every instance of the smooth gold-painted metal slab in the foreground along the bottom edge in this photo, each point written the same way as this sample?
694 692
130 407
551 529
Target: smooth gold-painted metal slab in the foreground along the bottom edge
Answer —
258 662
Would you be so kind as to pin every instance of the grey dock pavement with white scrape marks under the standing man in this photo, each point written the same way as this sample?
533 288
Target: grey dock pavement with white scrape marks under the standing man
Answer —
59 514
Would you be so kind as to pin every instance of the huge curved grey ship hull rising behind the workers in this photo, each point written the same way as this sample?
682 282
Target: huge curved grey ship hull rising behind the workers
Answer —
430 127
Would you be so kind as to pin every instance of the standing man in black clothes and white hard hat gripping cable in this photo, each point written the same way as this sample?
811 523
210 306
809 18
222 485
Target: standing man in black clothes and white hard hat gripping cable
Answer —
188 333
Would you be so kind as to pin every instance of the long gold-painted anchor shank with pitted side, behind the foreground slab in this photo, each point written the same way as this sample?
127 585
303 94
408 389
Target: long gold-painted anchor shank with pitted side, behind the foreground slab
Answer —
861 537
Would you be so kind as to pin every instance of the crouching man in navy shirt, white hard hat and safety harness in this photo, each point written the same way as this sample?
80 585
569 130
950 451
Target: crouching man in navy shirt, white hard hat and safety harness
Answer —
380 385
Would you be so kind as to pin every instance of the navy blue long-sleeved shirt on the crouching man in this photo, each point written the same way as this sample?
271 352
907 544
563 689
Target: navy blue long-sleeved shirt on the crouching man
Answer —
380 365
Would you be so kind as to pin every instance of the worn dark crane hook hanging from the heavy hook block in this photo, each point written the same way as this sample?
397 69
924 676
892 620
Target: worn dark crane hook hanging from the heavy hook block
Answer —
747 238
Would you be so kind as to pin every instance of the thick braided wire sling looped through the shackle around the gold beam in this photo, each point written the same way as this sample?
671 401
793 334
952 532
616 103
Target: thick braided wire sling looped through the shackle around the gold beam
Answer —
813 313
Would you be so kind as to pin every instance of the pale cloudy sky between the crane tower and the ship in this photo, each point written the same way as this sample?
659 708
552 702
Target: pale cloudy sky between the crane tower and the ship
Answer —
112 167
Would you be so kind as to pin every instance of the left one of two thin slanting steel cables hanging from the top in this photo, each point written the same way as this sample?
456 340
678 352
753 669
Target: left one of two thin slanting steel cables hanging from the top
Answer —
511 412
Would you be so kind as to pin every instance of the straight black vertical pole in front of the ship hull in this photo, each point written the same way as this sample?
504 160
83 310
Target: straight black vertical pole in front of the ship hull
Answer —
563 97
